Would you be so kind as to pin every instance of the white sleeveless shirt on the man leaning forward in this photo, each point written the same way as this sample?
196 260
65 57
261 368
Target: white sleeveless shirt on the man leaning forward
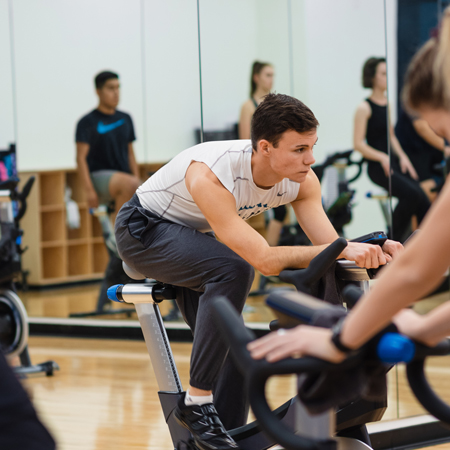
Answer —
166 195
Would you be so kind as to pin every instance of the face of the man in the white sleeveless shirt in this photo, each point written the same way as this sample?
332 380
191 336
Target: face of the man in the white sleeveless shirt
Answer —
293 157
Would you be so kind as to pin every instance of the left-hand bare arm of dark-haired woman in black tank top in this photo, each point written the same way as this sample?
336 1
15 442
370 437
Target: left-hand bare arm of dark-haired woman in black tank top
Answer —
362 116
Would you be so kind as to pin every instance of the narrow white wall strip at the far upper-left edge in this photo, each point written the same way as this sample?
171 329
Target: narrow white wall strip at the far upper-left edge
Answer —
6 98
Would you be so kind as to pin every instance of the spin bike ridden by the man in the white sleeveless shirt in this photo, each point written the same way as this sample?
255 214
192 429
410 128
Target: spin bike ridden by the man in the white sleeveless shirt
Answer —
350 420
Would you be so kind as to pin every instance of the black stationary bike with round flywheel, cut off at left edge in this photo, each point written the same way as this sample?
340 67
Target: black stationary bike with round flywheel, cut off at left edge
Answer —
13 316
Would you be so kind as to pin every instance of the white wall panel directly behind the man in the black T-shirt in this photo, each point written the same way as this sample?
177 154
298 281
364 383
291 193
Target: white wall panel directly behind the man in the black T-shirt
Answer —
59 47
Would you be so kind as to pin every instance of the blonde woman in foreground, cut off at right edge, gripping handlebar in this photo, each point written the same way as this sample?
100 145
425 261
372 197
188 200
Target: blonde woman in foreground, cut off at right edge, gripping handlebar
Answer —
420 267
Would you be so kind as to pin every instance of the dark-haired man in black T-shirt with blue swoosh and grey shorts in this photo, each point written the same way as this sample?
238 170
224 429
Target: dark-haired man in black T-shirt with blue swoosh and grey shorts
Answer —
105 155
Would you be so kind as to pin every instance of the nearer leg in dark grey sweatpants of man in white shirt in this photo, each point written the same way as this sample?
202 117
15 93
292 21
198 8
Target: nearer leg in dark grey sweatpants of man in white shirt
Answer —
187 258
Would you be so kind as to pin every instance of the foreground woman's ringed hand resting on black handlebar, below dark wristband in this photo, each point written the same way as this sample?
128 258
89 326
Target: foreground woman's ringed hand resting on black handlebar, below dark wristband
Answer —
295 343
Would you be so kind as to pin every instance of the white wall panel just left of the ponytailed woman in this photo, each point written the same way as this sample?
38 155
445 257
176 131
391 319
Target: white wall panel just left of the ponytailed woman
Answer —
229 46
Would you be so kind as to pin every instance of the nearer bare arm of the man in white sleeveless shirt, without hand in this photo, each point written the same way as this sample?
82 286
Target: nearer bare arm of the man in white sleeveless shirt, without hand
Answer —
219 208
